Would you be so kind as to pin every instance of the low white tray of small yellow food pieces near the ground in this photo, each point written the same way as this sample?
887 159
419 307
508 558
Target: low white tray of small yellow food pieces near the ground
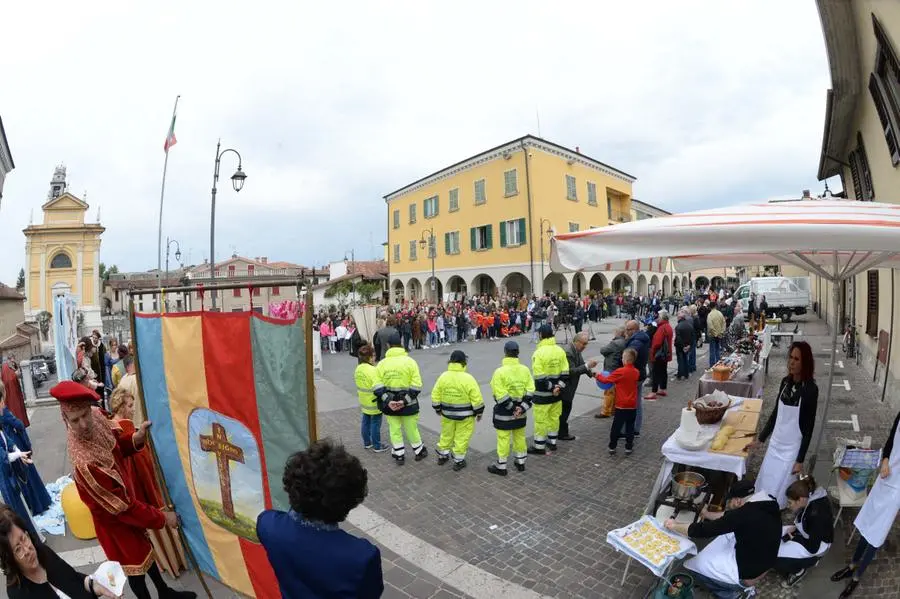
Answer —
649 543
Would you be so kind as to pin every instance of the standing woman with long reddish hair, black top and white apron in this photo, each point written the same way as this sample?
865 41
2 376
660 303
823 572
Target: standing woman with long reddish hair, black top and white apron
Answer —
790 425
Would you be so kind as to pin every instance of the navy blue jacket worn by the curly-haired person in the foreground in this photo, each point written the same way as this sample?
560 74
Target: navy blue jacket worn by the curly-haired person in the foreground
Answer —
317 561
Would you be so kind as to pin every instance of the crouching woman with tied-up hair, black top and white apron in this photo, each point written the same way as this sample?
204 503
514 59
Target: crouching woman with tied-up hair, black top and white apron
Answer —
812 533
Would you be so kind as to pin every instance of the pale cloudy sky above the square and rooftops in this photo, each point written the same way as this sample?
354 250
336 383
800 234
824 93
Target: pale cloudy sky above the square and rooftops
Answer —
334 104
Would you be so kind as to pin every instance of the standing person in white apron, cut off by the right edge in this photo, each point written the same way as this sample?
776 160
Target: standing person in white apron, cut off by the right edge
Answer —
877 515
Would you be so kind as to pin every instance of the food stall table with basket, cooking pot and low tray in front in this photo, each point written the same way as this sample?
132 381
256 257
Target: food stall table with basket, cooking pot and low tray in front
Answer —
702 458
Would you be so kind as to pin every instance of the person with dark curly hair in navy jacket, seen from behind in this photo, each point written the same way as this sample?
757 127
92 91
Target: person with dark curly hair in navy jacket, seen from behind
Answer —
311 556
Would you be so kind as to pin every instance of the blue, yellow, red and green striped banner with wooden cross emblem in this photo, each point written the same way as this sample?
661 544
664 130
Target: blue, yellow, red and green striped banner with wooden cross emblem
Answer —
227 395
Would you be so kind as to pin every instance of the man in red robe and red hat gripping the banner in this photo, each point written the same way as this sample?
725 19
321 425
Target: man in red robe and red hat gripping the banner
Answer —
98 455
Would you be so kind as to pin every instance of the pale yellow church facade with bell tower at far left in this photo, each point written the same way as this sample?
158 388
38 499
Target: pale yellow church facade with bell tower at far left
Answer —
63 256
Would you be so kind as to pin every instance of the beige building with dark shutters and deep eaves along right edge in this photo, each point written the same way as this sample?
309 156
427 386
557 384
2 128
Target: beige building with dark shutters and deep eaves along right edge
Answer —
861 145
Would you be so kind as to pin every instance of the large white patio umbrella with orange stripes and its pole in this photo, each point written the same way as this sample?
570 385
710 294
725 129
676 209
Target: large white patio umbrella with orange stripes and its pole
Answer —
835 239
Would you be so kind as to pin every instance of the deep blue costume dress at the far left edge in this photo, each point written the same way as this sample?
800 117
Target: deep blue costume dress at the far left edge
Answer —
19 481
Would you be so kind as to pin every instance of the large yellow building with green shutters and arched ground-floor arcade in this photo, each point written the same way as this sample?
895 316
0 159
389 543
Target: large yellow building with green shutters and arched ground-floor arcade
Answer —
492 215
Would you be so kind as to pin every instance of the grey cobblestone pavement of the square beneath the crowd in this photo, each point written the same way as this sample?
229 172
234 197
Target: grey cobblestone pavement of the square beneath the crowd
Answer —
545 529
